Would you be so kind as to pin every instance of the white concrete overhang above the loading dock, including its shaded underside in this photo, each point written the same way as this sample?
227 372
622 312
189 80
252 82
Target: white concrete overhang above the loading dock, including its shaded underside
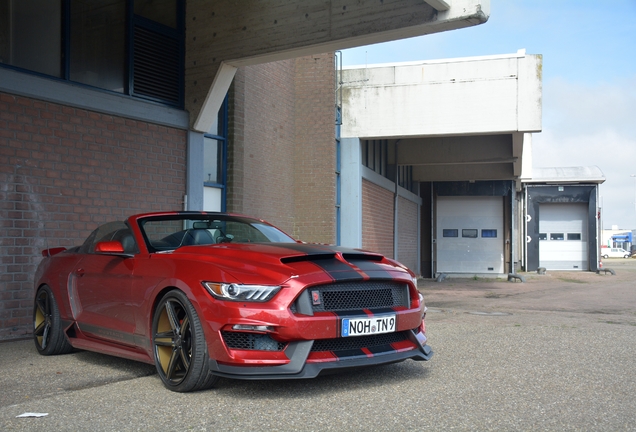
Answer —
462 119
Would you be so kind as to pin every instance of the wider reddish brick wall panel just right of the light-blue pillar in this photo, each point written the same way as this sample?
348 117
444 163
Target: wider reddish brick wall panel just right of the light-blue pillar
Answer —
377 219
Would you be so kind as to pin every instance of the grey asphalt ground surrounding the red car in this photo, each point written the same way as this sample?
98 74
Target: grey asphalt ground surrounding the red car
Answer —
553 353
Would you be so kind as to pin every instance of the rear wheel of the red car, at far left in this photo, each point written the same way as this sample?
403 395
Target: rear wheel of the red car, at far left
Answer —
48 333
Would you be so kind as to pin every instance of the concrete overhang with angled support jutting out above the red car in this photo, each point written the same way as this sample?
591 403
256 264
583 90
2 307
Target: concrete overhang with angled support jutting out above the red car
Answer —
225 34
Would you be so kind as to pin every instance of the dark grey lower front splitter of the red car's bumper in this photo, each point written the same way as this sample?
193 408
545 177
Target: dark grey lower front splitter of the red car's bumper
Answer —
298 367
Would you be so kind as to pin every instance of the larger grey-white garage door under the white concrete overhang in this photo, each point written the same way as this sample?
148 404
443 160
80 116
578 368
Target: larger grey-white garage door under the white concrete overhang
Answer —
469 235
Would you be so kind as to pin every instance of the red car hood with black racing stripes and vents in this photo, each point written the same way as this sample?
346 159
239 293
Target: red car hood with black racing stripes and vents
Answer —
278 262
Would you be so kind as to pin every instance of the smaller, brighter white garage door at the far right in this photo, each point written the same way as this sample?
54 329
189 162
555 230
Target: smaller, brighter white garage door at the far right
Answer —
563 239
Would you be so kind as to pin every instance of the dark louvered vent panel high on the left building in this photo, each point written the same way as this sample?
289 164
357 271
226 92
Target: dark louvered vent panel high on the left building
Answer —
156 66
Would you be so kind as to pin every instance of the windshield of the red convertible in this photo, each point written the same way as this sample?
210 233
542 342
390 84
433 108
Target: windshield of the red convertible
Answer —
166 233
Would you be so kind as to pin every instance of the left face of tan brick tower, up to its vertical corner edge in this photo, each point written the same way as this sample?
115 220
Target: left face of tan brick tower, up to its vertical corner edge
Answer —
261 143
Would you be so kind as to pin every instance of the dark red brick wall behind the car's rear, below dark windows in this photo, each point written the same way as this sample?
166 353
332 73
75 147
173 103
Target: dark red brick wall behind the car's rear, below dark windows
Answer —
64 171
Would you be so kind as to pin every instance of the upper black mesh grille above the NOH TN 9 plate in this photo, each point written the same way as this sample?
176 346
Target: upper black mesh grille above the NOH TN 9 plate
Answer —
348 296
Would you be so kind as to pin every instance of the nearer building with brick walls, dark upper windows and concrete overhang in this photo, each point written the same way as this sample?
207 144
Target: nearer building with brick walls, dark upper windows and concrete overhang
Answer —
114 107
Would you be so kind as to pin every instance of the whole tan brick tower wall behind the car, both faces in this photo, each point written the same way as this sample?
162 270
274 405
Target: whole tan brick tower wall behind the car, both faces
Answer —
281 152
